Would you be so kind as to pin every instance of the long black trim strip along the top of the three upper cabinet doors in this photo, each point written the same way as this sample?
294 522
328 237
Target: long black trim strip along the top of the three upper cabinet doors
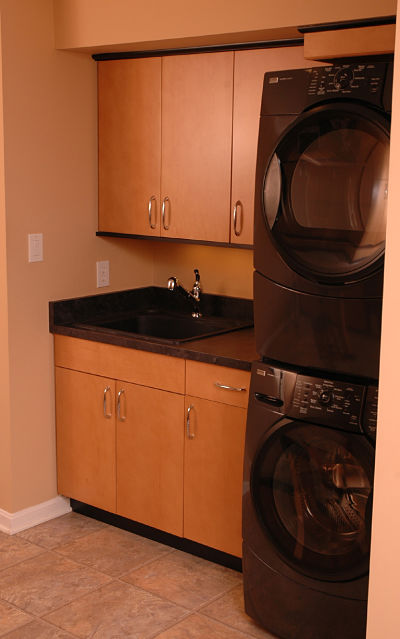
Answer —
237 46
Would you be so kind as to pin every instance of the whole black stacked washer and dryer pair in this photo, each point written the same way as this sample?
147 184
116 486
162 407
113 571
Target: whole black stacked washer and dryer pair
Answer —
320 223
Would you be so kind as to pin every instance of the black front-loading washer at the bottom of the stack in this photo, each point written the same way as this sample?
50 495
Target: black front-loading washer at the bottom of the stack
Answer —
307 503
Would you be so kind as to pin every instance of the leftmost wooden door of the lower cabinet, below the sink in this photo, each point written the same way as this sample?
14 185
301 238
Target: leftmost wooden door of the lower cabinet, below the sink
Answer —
85 420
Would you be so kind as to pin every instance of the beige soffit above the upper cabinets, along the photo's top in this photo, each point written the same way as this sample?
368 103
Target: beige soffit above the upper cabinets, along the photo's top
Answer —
145 24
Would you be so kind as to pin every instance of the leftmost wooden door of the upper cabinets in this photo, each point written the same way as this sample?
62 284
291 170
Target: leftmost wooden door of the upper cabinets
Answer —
129 95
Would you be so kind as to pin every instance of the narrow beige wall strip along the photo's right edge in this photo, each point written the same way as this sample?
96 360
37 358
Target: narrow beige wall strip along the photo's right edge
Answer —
384 595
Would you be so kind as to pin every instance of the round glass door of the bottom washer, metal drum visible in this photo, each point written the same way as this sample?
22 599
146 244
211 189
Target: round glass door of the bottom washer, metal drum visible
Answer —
312 490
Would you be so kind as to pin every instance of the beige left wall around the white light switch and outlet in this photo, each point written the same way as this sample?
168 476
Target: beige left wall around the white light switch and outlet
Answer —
50 153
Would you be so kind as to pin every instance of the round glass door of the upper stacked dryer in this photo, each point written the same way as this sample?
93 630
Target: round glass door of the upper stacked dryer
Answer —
325 193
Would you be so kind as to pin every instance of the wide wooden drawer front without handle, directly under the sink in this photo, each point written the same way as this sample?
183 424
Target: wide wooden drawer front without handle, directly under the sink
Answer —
117 362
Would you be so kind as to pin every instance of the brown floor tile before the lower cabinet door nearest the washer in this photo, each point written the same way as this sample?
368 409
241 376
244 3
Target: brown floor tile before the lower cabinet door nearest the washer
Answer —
186 580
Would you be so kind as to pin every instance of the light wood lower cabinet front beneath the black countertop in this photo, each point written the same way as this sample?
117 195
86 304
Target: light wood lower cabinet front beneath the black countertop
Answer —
170 458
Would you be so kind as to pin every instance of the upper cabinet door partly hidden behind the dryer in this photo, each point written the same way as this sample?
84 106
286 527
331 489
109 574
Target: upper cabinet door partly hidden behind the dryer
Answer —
250 67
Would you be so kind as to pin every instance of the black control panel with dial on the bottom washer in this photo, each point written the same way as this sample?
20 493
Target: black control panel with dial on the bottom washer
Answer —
333 403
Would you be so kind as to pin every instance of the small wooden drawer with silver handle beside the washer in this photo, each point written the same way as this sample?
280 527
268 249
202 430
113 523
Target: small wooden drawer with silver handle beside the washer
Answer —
208 381
